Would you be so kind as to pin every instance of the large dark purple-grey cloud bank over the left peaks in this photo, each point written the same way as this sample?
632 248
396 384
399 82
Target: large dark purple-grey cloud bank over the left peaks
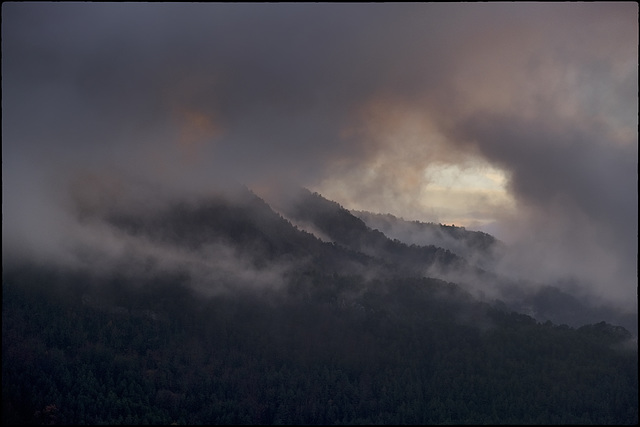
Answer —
185 94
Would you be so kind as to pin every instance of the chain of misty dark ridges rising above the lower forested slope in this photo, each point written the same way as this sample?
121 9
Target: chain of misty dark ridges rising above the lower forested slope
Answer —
306 230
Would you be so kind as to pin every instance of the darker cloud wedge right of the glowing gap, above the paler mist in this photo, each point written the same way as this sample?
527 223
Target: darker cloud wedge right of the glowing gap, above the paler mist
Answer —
559 162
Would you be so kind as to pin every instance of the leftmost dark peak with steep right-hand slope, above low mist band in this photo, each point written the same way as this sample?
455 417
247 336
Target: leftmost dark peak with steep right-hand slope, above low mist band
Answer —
222 229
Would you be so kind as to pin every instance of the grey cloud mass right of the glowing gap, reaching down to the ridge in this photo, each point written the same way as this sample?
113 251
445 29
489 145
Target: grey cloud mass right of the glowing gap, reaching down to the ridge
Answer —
576 189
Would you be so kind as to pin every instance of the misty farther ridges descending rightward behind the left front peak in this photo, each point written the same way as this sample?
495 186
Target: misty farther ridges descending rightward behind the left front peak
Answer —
451 253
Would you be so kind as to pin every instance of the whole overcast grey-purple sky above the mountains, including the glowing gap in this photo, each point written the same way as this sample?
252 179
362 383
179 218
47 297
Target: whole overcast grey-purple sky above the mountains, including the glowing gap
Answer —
516 118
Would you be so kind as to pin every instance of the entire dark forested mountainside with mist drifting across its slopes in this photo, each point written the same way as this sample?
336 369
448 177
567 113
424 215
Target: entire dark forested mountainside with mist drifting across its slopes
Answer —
281 327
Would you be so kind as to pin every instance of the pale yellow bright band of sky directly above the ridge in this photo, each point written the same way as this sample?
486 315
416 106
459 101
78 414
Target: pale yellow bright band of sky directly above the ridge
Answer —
469 195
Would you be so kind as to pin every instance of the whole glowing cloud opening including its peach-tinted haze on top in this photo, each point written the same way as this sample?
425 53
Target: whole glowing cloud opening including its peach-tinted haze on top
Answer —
413 170
